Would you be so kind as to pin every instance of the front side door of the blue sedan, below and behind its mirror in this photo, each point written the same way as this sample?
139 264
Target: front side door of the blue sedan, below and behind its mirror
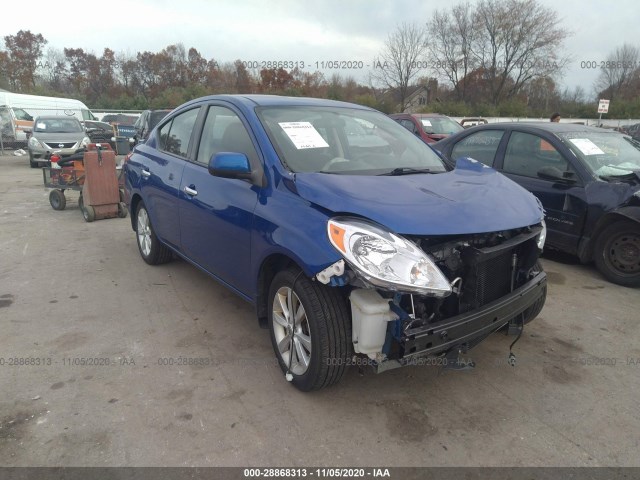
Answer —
216 214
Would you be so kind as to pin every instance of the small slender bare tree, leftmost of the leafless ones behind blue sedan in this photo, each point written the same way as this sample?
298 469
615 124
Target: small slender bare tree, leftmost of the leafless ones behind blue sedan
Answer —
401 60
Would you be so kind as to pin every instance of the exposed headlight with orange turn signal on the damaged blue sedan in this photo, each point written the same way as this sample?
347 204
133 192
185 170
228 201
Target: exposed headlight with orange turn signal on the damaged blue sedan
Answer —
386 260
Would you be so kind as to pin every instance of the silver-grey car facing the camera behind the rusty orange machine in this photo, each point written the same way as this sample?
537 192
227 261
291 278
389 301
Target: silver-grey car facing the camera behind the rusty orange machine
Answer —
64 135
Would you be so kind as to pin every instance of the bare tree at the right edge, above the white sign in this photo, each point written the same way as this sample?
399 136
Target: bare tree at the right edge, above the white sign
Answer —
618 71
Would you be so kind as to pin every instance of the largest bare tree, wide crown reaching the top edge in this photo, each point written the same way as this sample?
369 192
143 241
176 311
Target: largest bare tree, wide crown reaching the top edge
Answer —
517 41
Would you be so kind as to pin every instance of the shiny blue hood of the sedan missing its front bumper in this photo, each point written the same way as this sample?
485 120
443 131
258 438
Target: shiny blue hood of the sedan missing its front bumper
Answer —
470 199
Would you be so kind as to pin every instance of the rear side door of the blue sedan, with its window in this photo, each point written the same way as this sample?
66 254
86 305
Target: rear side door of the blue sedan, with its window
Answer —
161 172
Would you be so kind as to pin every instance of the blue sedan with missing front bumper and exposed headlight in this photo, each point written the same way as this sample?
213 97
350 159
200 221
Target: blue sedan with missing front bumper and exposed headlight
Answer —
353 240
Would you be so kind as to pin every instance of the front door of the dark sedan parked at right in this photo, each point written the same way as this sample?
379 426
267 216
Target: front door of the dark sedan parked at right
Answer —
564 202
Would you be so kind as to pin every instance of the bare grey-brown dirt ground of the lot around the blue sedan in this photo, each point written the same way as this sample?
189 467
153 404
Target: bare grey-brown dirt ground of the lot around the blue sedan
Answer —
89 332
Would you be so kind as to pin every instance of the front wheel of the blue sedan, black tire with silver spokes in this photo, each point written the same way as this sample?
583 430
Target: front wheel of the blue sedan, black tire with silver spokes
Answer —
326 323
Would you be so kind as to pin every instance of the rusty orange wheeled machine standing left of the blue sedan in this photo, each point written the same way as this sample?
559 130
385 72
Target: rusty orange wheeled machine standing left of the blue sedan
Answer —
94 175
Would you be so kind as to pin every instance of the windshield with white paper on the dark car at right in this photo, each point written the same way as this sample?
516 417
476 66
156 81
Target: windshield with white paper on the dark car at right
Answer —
606 154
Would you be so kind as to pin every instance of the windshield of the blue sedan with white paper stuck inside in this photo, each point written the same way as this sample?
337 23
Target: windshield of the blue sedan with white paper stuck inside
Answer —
345 141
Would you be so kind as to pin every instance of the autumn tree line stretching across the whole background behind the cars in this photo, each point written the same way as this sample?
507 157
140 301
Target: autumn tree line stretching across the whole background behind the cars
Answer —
495 58
